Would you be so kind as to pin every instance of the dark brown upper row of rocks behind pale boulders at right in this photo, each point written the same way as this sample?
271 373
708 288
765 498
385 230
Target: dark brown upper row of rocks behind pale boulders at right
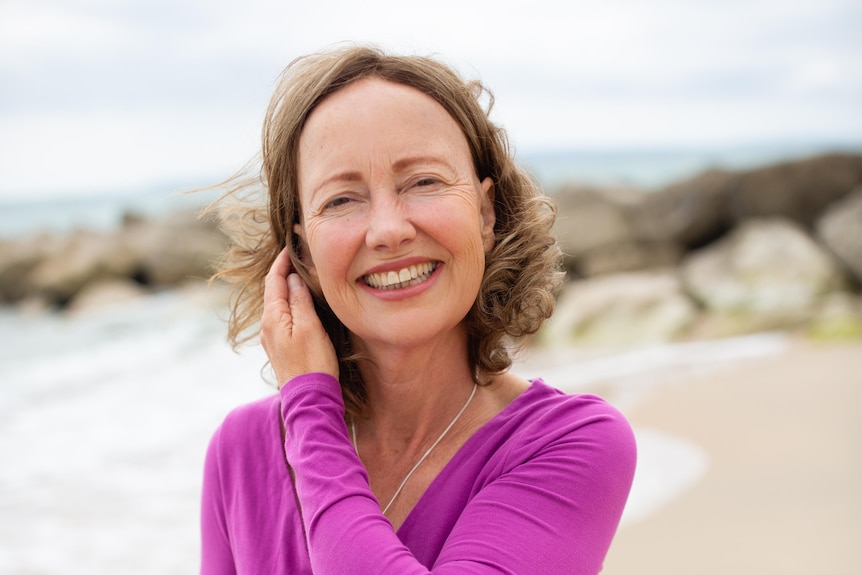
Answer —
613 230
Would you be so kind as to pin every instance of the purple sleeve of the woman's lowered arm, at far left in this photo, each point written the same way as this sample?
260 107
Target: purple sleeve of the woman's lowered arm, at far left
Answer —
250 523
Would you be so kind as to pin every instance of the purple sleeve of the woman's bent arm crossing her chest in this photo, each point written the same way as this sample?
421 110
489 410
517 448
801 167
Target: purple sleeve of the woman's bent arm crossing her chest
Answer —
551 505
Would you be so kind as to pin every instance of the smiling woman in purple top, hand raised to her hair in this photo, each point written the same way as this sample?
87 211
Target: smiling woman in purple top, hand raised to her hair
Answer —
400 254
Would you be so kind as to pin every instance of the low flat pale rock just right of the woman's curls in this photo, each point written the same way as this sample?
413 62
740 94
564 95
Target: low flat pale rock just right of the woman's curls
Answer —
624 309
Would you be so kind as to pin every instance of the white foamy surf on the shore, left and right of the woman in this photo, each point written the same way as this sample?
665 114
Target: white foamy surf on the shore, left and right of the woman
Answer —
105 417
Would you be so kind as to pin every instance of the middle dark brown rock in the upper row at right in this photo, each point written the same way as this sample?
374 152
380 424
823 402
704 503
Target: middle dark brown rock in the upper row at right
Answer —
690 213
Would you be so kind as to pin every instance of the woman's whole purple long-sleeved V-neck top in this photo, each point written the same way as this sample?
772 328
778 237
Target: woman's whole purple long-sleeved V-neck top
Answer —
540 488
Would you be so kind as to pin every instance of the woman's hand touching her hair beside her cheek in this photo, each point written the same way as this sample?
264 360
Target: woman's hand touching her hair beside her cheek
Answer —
291 332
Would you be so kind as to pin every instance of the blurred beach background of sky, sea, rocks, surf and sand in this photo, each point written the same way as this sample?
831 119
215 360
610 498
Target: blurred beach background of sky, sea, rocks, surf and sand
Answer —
707 160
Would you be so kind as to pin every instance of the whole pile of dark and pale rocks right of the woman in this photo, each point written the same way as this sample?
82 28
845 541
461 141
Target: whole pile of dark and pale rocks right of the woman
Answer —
778 247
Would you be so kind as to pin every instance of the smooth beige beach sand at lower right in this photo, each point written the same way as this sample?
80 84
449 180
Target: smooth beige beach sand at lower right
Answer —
783 490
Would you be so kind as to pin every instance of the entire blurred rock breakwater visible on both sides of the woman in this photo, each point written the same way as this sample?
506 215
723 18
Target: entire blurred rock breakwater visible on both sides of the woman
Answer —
719 254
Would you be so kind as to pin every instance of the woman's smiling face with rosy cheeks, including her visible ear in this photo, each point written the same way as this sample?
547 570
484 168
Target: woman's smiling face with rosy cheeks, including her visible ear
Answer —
395 222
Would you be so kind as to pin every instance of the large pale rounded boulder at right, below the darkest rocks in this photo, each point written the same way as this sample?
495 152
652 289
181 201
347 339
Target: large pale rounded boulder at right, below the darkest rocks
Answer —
771 266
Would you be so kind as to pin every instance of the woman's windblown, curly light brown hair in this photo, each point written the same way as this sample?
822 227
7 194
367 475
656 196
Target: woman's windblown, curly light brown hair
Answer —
522 272
